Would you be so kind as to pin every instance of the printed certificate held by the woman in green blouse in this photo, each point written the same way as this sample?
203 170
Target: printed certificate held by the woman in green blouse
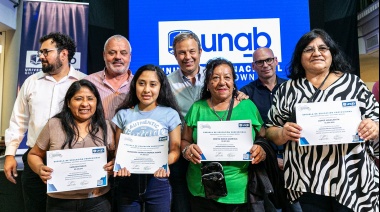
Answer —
225 140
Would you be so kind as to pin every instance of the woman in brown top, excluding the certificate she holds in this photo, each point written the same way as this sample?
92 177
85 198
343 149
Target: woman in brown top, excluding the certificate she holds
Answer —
80 124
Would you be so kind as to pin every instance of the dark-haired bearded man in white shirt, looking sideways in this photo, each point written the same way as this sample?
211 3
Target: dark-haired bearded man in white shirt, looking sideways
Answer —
40 97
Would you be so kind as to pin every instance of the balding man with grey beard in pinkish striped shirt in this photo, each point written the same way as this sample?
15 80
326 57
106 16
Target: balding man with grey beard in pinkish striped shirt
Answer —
113 84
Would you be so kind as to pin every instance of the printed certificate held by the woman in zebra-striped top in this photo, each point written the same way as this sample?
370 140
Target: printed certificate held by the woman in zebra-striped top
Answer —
328 122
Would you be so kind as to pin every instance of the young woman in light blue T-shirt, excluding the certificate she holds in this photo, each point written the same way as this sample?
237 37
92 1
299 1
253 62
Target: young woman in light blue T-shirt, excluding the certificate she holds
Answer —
150 109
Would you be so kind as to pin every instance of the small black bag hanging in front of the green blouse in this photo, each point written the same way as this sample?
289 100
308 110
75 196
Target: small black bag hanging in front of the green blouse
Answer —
213 180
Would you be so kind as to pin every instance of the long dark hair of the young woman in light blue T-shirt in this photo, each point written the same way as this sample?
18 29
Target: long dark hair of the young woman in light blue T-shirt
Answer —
165 96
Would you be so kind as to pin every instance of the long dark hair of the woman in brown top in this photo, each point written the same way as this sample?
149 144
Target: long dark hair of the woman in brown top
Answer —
67 119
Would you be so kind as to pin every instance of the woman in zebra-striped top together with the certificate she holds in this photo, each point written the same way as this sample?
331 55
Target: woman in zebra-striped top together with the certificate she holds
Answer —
323 174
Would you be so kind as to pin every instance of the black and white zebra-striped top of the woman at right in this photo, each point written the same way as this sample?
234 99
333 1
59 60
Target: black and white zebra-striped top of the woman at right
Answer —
344 171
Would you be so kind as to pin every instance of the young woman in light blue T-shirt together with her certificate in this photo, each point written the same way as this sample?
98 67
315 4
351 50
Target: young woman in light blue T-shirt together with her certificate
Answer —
149 111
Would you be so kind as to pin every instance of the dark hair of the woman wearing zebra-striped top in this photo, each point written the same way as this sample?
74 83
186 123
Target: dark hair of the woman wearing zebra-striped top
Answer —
339 61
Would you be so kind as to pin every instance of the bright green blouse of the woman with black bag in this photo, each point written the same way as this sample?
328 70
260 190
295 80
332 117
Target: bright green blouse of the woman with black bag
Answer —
236 172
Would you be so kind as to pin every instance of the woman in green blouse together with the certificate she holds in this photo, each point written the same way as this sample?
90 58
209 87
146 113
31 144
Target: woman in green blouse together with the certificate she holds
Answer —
218 105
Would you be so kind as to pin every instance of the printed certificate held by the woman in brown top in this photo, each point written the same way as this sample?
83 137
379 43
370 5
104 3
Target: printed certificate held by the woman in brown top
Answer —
75 169
